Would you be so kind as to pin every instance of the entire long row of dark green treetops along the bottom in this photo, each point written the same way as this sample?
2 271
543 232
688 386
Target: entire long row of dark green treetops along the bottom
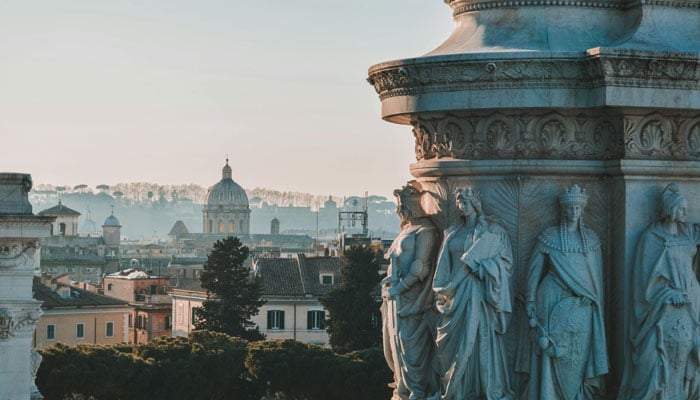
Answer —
209 365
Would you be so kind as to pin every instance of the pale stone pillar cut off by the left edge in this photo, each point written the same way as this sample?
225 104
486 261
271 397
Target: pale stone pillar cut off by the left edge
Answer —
19 233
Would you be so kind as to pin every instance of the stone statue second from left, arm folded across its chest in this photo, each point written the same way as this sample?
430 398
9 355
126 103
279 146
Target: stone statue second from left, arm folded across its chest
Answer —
473 300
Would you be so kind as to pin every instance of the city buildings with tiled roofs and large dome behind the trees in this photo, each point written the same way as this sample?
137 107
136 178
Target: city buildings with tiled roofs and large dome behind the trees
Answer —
97 289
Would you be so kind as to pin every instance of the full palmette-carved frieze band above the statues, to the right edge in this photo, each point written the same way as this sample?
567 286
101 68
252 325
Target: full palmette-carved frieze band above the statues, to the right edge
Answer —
562 134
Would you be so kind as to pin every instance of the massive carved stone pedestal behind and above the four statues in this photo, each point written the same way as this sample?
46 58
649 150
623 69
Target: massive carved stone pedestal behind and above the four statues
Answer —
527 98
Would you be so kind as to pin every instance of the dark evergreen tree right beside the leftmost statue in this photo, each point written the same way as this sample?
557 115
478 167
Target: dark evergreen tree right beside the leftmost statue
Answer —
353 321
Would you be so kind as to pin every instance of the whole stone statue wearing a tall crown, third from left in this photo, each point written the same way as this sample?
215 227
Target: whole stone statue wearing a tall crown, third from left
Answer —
566 355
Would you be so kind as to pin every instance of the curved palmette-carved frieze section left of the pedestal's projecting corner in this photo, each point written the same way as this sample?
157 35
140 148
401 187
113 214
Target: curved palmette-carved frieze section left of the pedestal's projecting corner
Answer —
499 135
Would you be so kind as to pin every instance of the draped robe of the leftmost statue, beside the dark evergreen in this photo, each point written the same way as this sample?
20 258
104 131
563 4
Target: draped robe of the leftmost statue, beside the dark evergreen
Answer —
409 331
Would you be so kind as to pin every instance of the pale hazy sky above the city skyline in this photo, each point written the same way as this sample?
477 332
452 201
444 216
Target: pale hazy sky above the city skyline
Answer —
100 91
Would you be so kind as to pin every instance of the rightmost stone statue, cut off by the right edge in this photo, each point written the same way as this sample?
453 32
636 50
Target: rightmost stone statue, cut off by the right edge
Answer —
664 323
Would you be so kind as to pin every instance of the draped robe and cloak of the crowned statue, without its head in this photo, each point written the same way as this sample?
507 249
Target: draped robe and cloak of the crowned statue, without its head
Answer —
574 272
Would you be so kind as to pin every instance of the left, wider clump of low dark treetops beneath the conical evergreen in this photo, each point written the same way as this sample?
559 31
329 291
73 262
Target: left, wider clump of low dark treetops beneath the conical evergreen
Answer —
206 365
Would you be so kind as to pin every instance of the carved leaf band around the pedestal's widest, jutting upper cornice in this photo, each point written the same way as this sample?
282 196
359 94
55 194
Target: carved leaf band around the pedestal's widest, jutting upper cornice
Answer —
612 67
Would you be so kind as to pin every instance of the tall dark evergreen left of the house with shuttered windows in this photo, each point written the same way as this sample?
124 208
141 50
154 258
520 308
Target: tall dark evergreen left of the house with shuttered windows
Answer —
233 295
